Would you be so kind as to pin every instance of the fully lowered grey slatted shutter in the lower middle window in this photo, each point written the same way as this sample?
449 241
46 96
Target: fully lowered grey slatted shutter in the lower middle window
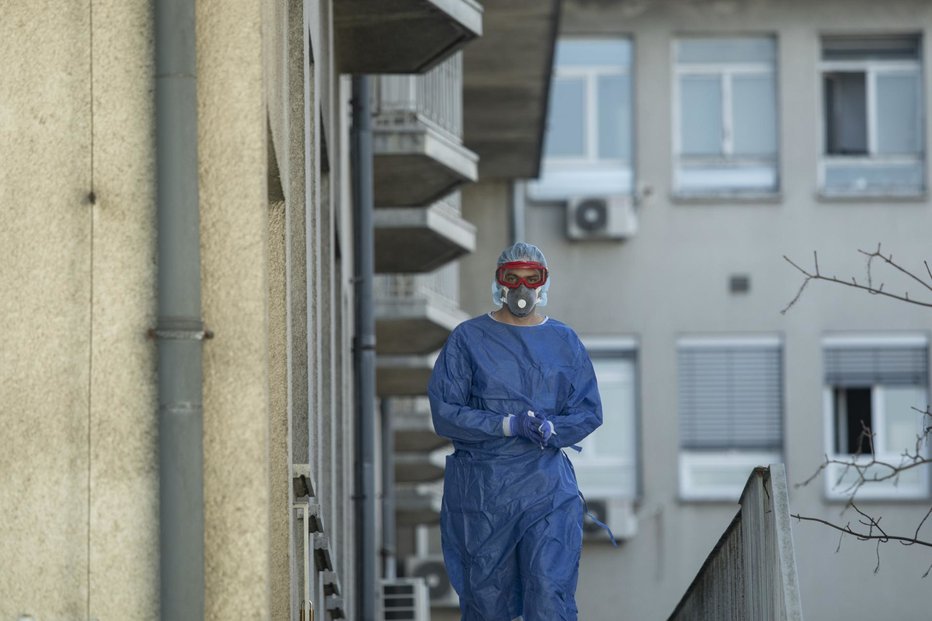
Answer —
730 397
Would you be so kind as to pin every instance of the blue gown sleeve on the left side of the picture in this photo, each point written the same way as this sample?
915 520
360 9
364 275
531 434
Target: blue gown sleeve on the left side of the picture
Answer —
449 393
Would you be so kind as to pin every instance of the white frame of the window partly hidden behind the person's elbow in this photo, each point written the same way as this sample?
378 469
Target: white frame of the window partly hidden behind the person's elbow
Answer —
591 467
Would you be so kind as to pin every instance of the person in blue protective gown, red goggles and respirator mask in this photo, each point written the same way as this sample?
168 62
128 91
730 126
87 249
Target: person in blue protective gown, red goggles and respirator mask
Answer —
511 389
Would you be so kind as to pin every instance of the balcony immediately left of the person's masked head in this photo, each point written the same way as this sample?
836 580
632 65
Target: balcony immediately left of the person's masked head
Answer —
414 313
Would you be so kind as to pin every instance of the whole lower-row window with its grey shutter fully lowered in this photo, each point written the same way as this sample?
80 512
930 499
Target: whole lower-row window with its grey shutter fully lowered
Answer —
730 412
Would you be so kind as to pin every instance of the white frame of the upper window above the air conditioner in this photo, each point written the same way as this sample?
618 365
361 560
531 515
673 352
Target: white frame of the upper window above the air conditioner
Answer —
552 184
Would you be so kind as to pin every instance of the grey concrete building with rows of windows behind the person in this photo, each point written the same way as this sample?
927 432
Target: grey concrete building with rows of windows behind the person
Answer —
690 146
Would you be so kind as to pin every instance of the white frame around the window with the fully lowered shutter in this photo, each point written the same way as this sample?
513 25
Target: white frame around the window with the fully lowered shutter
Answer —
737 464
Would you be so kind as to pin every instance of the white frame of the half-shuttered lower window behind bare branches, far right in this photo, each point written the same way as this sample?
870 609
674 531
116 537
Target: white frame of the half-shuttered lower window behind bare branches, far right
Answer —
888 490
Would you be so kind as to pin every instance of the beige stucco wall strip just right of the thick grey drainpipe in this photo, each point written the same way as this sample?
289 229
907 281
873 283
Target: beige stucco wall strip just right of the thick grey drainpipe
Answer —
232 136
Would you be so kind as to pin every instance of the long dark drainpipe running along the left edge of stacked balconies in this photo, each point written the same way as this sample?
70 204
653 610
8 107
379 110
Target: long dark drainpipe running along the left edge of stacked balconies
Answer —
364 351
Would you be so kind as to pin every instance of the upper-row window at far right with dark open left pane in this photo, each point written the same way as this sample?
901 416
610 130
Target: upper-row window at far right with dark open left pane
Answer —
872 115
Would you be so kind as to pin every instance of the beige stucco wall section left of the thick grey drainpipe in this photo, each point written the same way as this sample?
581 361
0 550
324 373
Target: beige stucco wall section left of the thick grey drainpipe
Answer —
78 486
